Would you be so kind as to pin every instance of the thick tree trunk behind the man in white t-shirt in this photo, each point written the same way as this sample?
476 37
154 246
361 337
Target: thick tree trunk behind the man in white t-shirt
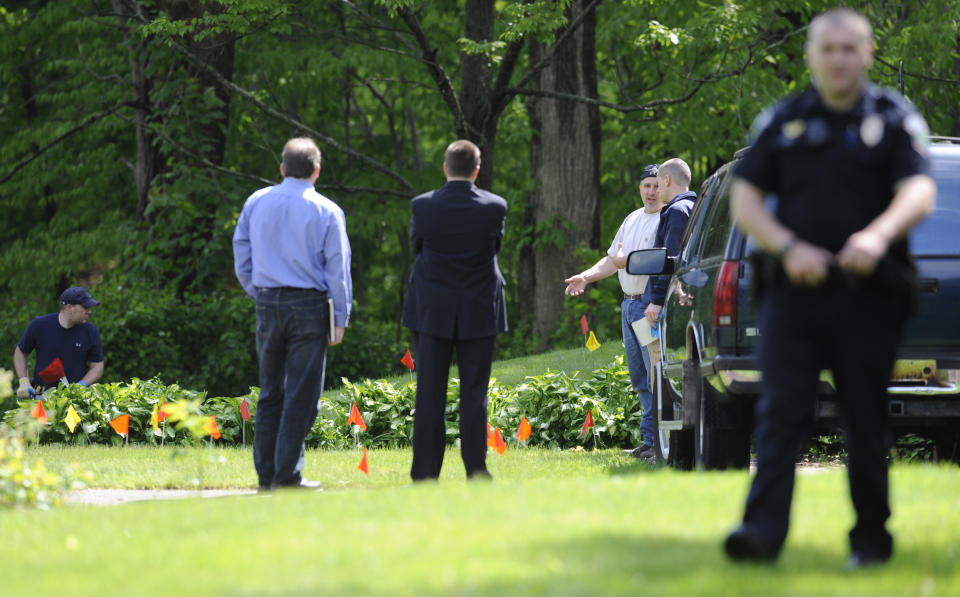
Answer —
565 158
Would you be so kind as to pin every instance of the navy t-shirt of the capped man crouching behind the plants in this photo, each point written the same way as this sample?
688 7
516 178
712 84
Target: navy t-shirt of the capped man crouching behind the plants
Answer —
75 346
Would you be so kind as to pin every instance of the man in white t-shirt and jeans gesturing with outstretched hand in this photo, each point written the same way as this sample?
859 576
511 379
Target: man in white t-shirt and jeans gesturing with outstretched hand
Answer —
638 231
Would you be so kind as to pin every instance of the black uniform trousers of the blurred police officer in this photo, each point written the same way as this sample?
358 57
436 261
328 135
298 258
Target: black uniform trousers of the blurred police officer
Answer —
855 334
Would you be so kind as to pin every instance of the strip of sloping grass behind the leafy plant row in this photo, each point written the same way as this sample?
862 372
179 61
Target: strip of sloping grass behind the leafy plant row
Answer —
513 371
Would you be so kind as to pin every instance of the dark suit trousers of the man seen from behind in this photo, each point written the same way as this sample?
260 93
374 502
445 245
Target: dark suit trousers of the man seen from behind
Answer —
474 358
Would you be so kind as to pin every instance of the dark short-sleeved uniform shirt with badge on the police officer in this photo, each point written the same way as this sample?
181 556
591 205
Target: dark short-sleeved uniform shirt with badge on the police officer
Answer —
835 172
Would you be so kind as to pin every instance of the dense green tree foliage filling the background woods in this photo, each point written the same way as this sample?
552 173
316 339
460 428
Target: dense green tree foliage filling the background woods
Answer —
133 130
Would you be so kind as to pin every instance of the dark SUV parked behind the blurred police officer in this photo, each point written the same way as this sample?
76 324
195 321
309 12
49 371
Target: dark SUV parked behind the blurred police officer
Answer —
708 378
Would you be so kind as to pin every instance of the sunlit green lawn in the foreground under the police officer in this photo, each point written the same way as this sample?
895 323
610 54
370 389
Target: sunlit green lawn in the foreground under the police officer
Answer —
570 523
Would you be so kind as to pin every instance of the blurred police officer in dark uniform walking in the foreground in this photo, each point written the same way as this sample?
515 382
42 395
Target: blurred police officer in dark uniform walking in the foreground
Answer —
847 163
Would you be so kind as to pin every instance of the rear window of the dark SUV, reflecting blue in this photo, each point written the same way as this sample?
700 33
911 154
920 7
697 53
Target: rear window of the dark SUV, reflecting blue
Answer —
939 234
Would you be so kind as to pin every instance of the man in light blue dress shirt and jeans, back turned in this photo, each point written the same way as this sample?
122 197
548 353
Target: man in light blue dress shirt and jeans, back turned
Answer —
291 253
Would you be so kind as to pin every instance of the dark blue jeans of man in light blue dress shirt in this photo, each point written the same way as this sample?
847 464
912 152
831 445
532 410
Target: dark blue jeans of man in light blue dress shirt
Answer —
291 350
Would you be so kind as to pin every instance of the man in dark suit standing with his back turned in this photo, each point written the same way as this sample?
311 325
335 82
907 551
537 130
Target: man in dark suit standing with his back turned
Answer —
455 299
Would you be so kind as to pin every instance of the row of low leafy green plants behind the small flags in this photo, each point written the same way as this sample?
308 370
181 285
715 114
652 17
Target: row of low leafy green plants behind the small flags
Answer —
555 403
